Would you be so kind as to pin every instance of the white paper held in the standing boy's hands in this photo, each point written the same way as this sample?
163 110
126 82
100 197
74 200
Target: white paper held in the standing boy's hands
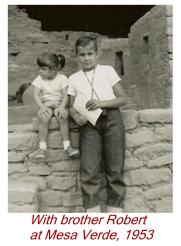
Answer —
80 106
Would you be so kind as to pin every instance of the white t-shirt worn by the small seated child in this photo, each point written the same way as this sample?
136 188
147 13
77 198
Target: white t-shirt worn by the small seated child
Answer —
51 90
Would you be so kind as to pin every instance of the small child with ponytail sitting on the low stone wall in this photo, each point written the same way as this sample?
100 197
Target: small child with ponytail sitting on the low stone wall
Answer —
50 93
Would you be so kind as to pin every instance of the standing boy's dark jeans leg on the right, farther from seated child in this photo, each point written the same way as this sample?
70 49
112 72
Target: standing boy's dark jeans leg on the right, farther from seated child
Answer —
114 151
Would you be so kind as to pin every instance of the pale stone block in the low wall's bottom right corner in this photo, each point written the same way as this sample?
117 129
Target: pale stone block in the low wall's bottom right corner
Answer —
164 205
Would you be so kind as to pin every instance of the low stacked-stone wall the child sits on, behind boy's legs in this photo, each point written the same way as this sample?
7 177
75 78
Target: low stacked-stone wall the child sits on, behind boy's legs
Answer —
54 185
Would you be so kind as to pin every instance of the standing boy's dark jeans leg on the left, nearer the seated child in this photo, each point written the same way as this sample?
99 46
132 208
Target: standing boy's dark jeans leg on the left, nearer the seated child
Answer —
90 173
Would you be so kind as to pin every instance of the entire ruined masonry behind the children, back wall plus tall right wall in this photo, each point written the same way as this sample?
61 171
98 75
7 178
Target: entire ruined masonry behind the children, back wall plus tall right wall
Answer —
147 55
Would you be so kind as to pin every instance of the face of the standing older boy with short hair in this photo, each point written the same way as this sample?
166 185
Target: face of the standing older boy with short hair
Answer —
87 56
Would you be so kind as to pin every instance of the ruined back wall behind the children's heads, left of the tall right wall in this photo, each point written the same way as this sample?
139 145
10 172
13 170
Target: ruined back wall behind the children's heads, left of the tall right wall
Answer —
27 41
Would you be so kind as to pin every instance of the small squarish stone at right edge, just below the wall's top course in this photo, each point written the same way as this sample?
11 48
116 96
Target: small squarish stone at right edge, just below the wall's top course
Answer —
163 133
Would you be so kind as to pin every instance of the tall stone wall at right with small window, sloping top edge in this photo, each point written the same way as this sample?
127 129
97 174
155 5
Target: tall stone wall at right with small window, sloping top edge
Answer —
150 46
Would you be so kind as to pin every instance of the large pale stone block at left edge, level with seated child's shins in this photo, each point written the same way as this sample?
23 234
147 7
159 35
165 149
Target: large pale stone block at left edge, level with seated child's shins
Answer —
22 141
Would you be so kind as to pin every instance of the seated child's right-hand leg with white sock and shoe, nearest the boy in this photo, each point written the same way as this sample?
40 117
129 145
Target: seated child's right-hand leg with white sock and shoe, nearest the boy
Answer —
64 128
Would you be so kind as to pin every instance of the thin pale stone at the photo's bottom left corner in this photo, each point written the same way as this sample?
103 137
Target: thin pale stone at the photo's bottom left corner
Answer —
25 208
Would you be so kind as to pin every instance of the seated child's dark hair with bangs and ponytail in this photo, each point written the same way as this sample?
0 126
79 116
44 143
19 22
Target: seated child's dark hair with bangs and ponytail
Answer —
51 60
